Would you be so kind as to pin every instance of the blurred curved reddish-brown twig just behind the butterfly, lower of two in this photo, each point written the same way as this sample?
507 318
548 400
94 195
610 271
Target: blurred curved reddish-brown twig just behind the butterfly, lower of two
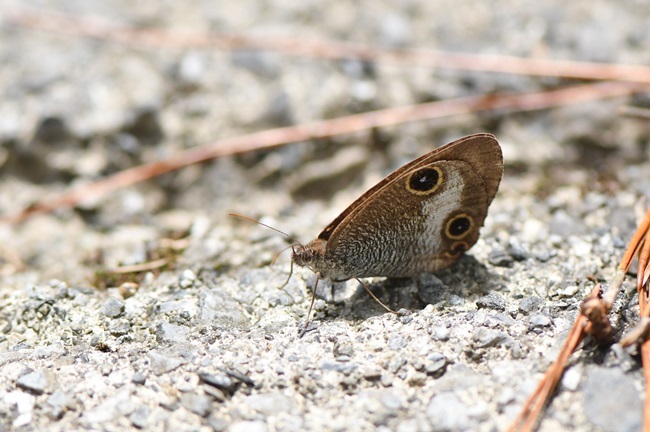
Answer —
328 128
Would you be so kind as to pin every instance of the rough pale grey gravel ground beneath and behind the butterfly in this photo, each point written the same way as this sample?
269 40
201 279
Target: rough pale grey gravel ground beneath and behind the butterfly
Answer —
210 342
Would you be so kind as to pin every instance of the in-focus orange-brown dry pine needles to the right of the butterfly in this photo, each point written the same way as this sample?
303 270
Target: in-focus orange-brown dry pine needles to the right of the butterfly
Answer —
593 321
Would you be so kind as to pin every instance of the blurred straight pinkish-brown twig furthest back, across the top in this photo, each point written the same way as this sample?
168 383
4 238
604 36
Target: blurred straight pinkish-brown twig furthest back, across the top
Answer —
105 30
